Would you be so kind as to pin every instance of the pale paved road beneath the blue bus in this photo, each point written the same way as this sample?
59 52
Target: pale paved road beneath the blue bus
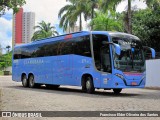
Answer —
14 97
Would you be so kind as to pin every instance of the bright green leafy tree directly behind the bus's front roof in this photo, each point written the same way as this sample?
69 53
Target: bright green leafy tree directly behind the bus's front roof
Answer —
106 21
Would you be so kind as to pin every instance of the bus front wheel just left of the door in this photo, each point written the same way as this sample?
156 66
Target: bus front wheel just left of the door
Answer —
89 85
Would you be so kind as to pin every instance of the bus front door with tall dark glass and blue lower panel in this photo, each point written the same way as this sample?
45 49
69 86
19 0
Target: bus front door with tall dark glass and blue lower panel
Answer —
102 58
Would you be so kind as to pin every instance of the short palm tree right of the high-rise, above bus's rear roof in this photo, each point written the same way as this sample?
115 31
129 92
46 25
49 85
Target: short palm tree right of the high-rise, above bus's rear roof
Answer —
44 30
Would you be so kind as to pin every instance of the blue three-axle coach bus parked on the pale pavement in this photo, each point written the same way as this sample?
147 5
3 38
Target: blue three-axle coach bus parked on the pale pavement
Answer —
90 59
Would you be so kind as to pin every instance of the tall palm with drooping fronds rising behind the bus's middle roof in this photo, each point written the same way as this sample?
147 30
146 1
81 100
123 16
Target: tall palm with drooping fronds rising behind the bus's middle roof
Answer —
71 12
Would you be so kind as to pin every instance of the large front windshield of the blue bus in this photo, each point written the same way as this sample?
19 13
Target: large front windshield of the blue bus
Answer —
132 56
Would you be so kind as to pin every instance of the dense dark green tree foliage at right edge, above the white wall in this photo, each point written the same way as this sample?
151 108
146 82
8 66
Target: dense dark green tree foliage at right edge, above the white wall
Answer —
146 25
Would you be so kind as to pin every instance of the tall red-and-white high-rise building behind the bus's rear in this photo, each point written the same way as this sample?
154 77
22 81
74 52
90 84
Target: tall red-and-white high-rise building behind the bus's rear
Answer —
23 27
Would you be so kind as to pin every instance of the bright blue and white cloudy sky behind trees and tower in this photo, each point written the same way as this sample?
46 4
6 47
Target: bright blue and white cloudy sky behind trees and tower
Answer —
46 10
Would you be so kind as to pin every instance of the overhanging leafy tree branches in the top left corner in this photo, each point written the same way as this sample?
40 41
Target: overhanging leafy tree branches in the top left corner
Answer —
10 4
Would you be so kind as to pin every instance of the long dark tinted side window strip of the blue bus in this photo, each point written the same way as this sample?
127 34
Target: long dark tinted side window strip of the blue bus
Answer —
78 46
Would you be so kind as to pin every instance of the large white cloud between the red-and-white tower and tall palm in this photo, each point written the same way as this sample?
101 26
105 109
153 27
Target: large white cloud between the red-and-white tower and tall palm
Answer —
46 10
